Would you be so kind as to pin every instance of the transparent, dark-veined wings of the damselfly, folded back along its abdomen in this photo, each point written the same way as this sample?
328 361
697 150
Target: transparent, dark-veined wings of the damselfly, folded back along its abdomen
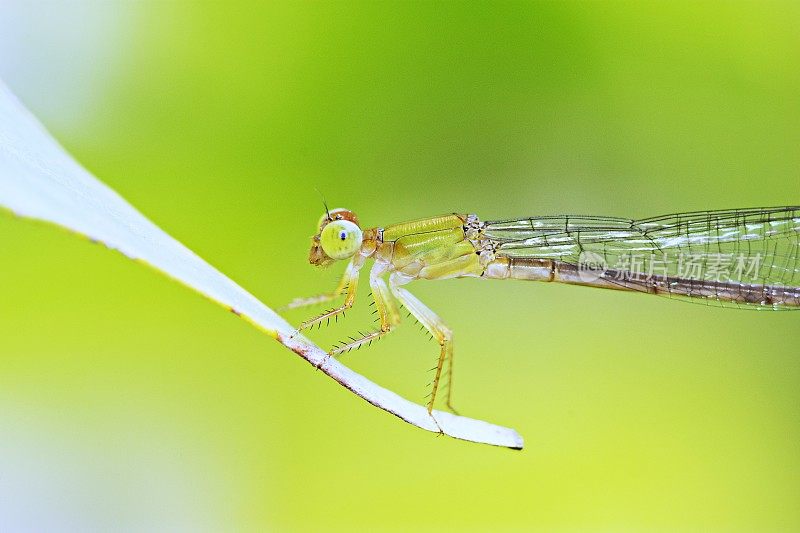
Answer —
744 257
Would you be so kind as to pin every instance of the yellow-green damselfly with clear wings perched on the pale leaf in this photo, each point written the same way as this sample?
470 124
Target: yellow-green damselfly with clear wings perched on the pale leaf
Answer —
742 258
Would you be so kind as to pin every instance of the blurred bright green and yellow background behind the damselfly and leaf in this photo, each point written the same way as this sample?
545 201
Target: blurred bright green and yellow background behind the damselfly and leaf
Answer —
127 402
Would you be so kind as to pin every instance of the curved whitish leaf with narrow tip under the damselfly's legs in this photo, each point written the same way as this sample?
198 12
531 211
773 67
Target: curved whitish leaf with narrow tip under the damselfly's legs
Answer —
39 179
